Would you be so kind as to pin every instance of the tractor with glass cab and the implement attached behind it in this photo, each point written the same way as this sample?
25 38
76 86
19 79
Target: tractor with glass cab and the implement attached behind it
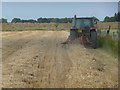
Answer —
84 29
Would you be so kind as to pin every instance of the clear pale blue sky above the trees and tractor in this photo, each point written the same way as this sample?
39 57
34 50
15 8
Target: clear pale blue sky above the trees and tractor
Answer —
35 10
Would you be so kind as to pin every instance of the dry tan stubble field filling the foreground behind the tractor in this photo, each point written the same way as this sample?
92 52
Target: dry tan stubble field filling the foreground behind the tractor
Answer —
37 59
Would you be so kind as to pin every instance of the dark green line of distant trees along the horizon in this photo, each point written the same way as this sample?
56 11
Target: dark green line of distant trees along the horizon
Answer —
114 18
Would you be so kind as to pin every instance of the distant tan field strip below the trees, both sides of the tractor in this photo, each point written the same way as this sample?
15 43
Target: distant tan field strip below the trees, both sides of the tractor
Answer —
52 26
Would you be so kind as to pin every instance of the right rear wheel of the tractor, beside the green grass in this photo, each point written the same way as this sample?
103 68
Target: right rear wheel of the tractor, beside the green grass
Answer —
93 35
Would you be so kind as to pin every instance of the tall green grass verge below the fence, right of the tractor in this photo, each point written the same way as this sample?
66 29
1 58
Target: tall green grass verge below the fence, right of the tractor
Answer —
109 45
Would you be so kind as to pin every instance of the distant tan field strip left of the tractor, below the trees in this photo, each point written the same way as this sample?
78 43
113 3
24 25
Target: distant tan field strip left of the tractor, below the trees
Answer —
35 26
